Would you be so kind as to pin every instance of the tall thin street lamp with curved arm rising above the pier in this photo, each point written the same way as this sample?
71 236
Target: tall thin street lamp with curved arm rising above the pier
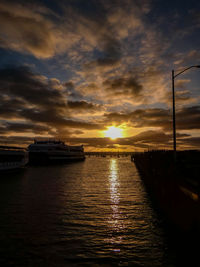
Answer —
173 100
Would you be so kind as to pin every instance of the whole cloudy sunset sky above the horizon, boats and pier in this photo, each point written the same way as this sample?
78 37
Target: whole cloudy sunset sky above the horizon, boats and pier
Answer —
77 69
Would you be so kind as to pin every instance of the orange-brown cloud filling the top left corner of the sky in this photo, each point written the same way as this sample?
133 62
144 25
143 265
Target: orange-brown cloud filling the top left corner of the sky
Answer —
37 30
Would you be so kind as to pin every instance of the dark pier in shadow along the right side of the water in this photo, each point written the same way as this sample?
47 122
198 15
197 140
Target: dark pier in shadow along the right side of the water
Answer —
173 185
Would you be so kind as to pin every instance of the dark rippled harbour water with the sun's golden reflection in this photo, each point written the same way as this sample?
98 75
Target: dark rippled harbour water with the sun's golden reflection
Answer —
91 213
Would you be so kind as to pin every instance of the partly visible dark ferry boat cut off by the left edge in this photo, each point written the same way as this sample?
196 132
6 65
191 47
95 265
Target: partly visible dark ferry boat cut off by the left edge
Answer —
12 158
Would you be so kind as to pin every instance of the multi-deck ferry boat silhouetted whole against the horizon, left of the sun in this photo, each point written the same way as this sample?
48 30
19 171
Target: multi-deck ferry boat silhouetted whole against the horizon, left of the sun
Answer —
54 151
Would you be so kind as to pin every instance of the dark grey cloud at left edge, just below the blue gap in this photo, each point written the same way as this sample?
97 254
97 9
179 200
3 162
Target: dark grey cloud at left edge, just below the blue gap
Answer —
33 88
